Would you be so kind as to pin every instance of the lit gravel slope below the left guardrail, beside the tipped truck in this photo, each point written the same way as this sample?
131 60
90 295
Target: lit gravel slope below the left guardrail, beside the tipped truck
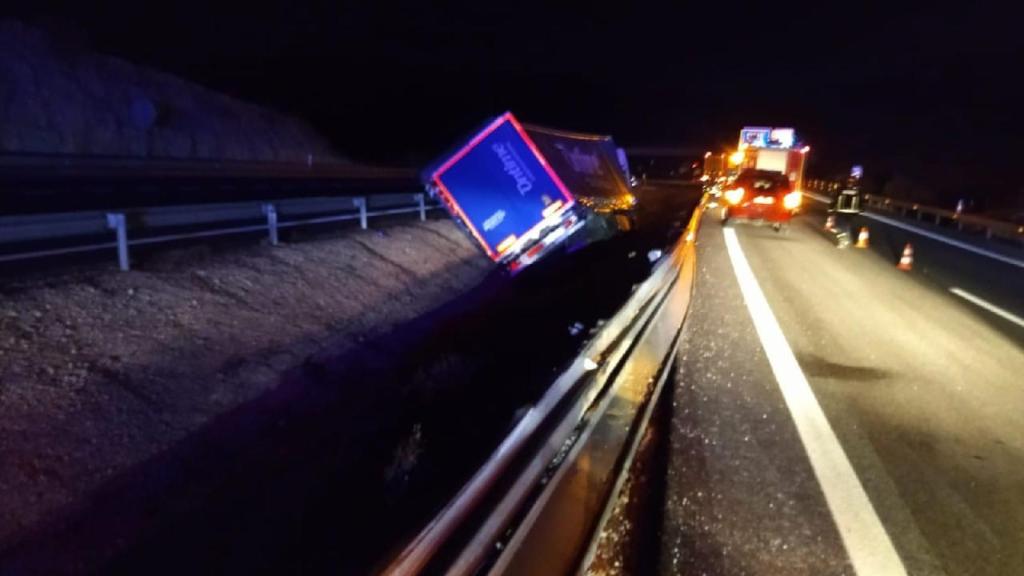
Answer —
101 371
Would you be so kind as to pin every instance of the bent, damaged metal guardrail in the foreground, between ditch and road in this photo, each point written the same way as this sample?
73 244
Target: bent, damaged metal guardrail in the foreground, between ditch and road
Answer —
539 502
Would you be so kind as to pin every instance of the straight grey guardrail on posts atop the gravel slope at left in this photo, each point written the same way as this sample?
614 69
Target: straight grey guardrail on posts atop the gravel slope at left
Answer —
23 236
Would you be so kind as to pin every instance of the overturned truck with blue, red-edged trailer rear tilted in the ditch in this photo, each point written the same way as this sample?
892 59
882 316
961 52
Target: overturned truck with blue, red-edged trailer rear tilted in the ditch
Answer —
522 192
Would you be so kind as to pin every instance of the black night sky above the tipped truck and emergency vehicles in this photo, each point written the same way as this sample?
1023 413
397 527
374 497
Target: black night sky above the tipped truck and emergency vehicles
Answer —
929 95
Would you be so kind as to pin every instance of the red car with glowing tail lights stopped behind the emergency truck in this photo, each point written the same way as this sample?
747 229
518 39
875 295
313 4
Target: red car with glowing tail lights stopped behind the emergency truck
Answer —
762 197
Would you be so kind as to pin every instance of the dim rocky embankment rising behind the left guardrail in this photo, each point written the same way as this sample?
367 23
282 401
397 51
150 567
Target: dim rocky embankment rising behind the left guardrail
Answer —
57 100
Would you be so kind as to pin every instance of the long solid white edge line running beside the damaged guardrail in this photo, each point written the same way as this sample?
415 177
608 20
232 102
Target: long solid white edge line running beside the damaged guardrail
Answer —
867 542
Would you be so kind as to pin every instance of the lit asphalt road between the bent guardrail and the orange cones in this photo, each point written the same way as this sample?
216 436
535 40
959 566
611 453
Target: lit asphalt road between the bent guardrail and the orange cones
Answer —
890 441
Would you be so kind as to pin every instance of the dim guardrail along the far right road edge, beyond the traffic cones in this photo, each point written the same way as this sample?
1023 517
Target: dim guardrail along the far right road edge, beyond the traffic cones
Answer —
940 217
